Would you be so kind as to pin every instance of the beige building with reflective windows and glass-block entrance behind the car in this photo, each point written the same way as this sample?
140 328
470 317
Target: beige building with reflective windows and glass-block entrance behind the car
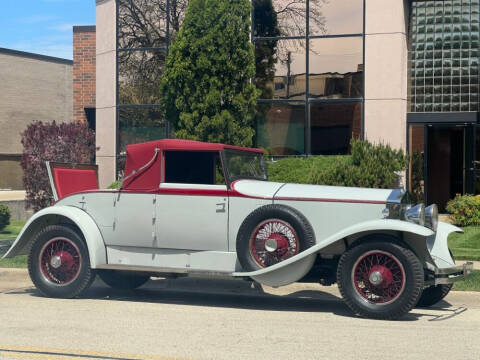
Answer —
402 72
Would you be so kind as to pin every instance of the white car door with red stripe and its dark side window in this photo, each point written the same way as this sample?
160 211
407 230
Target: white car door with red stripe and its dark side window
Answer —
192 204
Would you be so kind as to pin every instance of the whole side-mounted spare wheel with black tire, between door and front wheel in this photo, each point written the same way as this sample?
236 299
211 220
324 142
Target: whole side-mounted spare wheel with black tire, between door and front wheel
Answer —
281 229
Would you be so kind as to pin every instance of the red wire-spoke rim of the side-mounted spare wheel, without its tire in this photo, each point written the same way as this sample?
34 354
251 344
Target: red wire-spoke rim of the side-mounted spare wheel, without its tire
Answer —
272 241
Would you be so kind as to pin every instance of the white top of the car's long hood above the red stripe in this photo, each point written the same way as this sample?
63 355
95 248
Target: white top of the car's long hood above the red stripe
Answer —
283 191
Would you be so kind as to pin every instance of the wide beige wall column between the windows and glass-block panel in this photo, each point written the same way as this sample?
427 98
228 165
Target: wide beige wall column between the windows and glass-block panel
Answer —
386 60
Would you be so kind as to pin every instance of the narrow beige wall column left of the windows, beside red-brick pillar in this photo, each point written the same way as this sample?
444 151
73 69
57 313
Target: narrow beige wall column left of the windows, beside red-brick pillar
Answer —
106 91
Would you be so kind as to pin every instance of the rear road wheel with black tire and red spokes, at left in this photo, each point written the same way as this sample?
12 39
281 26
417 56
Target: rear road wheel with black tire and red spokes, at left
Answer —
58 262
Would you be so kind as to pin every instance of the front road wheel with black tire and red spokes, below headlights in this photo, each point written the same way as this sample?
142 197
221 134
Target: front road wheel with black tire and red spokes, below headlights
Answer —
380 280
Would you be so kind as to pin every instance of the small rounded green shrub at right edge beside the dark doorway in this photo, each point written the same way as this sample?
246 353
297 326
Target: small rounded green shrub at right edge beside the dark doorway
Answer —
465 210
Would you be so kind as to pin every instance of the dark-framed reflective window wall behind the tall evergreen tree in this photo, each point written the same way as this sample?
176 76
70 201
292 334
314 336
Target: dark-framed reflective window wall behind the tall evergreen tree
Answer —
309 56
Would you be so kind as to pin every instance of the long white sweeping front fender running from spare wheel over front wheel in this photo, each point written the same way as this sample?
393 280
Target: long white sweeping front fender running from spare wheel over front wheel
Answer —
296 267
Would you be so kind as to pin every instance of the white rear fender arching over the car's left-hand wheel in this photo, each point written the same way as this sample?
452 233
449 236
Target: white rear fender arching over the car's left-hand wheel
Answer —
55 215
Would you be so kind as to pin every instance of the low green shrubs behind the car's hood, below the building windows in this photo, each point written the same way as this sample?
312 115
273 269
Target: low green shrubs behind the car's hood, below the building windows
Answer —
371 166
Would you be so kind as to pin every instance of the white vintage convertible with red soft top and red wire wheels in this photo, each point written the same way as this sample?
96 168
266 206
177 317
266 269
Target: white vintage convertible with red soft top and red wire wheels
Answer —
187 207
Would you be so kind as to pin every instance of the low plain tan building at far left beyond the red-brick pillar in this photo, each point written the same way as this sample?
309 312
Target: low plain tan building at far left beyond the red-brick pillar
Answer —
33 88
